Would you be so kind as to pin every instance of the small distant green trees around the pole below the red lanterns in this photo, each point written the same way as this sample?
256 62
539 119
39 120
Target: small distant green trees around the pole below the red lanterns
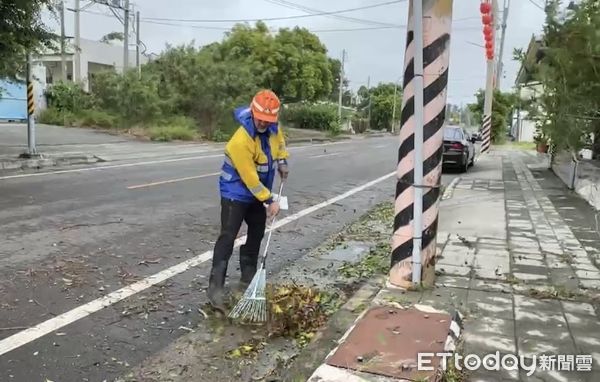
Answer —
502 107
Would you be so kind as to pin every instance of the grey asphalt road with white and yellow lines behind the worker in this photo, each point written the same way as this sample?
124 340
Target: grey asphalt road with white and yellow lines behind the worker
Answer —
70 238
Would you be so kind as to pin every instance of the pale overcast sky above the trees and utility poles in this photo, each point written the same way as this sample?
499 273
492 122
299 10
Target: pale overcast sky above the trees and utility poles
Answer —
377 53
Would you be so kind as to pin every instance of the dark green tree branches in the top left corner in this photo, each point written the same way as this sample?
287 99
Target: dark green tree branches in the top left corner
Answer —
21 32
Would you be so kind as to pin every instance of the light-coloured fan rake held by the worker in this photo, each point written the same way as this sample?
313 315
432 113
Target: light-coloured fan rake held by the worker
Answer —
252 307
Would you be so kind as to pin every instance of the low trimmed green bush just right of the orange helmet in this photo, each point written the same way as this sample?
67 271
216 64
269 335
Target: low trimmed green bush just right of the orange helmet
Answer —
307 116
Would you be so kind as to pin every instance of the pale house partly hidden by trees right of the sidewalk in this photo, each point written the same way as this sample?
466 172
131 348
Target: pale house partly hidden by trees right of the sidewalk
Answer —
524 128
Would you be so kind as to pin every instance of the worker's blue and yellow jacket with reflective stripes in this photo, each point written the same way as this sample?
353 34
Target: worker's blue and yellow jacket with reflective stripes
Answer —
251 160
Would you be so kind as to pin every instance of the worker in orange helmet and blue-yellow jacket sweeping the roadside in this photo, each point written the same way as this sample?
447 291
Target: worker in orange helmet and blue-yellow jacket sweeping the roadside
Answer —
252 156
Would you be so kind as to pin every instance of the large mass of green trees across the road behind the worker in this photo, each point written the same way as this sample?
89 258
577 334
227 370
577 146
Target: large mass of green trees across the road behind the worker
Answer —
205 85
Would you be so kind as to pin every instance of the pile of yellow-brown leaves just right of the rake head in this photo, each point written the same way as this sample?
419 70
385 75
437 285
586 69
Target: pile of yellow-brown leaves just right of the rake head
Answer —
297 311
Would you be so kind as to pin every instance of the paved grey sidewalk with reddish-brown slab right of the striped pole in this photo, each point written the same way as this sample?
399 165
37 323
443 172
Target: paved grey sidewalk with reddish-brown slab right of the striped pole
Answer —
517 272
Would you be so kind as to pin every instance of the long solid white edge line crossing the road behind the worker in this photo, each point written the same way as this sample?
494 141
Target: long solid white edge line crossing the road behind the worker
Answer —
29 335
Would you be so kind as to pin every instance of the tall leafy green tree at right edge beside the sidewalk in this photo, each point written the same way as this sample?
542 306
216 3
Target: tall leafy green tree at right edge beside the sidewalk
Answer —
568 111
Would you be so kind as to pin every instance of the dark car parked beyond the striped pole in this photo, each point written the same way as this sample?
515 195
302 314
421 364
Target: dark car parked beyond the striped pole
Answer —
459 149
